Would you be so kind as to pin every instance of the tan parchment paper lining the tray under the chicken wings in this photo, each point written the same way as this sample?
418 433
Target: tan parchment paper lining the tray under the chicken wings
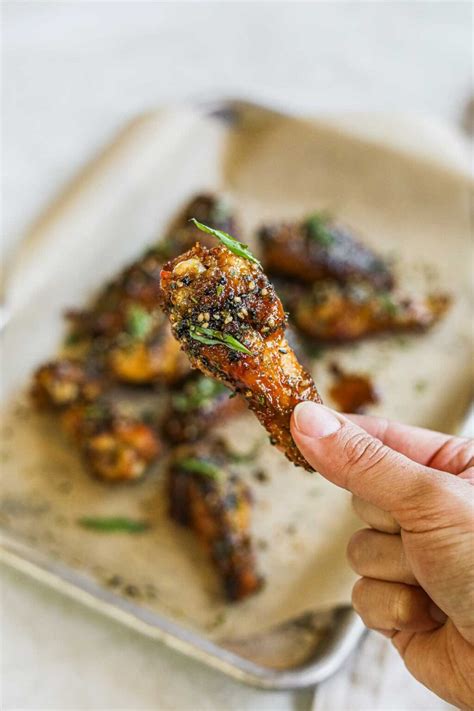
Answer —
272 167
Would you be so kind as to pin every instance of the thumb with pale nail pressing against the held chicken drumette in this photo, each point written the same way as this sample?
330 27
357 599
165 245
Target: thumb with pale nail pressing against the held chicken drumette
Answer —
351 458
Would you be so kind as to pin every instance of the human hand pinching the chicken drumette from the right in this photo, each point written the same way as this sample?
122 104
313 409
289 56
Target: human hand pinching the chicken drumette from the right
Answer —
415 489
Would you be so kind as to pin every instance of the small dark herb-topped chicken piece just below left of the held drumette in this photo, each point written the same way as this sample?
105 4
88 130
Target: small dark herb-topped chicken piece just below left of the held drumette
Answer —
198 404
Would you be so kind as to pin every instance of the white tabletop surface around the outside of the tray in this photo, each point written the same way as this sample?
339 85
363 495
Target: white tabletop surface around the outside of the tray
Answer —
74 72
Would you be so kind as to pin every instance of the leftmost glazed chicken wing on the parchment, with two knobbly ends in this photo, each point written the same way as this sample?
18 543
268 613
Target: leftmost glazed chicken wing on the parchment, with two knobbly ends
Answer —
115 447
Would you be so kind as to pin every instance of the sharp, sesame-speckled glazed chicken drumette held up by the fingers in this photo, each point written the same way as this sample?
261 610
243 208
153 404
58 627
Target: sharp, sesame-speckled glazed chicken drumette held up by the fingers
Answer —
214 291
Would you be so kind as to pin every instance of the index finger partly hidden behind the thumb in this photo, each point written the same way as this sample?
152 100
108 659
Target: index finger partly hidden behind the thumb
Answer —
432 449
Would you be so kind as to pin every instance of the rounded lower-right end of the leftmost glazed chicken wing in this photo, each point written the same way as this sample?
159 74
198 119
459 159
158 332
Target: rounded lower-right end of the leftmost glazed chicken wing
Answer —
116 448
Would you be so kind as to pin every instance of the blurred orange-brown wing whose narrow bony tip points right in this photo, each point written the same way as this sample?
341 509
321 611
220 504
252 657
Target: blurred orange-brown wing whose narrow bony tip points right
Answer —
331 312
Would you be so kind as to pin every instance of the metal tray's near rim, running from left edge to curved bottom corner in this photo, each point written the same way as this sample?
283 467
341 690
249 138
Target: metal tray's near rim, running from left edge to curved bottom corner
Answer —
79 587
